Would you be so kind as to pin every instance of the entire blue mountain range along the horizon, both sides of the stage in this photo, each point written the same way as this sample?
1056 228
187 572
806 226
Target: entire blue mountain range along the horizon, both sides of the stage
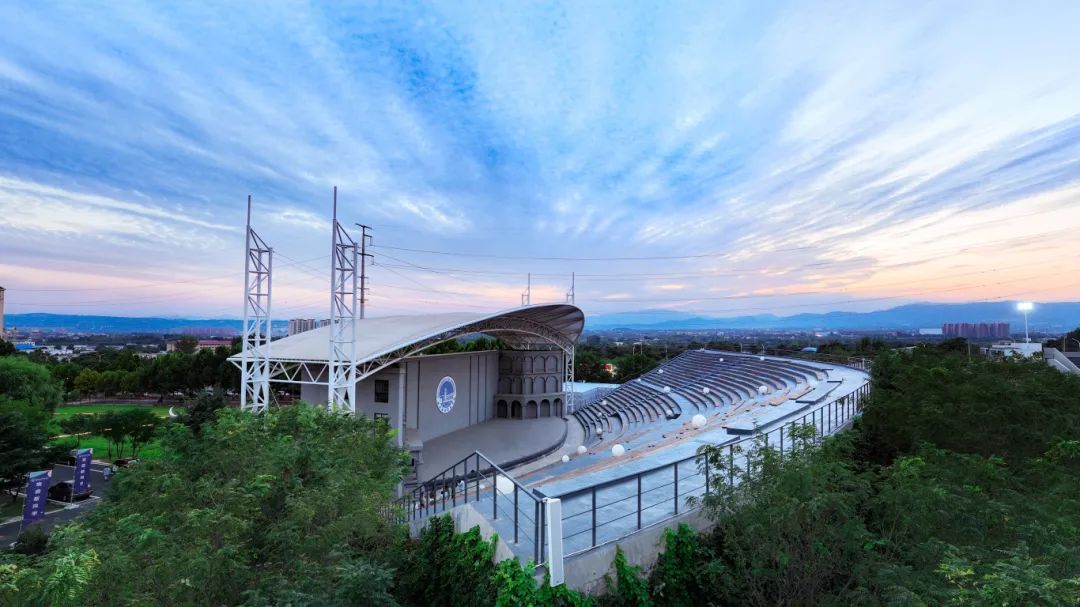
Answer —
1046 317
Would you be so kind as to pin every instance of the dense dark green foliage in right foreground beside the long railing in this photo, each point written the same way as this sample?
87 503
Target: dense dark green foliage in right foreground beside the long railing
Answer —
957 488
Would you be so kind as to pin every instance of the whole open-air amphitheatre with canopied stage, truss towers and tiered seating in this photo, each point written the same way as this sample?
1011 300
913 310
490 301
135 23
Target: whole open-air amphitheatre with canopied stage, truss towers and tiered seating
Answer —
502 437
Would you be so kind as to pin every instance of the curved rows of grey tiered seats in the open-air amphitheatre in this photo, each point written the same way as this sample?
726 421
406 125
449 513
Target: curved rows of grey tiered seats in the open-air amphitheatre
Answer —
732 379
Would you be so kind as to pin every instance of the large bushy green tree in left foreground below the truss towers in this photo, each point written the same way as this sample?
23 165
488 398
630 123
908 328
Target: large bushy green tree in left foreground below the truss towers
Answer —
281 508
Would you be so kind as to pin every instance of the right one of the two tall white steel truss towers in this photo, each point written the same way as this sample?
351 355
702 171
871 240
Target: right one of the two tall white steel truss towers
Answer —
345 258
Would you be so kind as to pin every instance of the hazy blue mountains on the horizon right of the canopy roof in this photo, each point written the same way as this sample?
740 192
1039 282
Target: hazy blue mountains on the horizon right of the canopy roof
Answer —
1046 317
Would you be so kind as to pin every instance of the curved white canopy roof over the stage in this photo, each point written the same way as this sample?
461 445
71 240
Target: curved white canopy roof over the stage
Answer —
397 338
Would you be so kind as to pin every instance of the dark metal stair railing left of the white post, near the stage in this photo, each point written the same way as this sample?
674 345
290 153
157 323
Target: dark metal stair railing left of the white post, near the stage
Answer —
478 480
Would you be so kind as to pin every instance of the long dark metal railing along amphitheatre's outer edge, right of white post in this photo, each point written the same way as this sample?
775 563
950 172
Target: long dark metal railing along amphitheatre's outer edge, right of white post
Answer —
615 509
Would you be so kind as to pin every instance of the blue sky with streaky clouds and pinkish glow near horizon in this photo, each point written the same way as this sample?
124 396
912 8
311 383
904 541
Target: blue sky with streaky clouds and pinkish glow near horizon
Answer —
714 158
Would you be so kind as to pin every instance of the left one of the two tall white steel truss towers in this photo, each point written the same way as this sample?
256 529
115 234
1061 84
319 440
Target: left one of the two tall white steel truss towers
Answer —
255 357
